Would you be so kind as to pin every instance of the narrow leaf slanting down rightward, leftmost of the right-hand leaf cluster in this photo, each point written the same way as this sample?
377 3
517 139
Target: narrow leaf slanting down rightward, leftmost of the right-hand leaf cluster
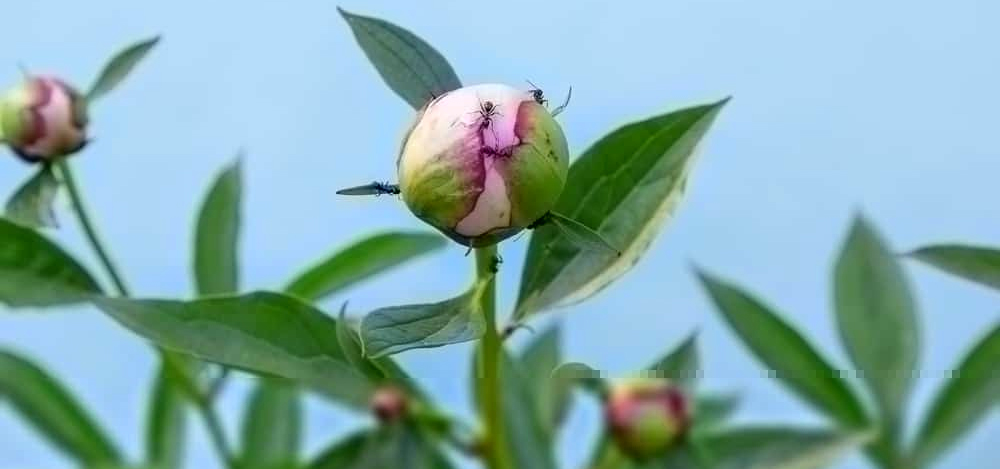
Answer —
784 352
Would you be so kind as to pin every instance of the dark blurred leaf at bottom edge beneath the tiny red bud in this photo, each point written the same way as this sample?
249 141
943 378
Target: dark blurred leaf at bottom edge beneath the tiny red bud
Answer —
391 447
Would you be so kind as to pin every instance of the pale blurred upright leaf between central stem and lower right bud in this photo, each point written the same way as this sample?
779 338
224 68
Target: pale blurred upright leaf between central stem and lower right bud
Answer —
538 360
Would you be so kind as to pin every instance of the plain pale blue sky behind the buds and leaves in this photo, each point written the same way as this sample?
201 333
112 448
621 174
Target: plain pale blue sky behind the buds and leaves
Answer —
887 107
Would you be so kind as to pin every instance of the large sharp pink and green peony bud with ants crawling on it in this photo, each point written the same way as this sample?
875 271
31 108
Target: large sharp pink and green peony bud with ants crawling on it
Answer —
482 163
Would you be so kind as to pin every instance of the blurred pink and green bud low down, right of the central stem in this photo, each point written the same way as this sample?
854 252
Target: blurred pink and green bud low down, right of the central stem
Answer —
647 417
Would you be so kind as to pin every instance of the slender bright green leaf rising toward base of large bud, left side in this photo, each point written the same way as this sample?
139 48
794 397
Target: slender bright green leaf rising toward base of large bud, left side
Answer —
364 259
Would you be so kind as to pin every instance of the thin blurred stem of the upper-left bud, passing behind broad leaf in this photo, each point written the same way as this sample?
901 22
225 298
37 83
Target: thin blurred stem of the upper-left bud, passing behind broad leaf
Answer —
201 402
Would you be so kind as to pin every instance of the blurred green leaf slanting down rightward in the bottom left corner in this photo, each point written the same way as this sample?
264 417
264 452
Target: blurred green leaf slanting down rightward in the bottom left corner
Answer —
49 407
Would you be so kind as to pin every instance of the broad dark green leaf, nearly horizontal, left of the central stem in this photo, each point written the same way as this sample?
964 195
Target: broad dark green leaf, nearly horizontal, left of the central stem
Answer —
265 333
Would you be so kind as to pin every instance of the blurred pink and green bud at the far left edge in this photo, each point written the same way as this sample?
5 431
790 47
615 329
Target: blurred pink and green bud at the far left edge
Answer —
43 119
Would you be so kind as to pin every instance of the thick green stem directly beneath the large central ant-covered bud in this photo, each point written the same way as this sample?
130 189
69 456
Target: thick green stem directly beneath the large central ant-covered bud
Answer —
491 346
